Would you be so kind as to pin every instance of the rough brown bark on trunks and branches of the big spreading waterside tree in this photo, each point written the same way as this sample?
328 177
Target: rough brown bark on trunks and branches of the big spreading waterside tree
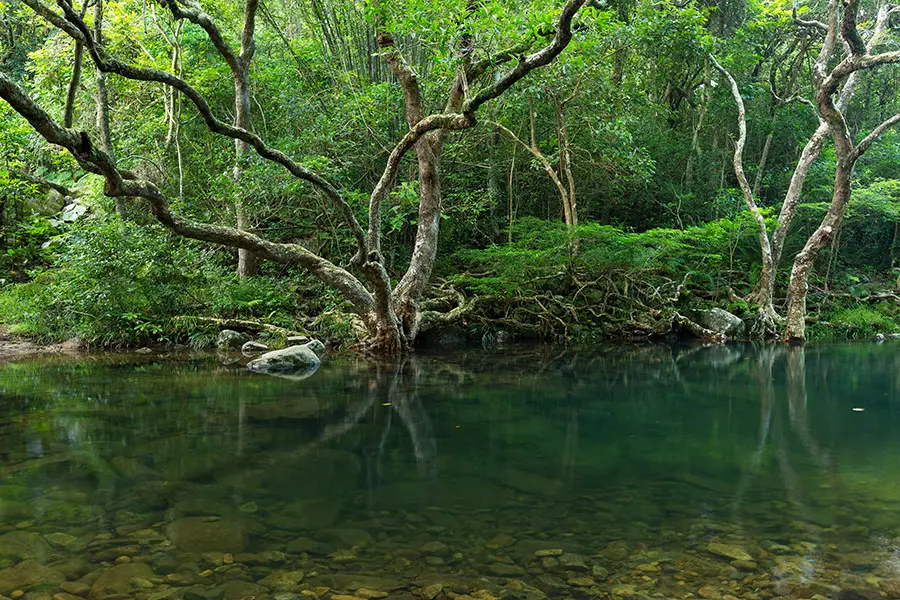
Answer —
390 315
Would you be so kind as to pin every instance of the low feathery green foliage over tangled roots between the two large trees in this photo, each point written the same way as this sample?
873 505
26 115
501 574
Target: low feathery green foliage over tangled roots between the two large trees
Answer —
604 278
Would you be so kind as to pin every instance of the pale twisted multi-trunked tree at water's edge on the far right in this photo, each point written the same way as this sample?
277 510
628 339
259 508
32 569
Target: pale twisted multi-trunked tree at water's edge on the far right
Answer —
833 89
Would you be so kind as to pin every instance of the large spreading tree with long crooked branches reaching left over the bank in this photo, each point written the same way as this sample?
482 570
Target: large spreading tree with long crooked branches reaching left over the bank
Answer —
389 309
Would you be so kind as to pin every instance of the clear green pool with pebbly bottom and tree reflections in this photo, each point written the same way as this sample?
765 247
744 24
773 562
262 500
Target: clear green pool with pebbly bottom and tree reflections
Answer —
626 472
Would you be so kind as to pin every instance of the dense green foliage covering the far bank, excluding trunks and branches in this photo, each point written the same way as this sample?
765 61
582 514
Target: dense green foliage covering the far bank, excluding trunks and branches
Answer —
638 92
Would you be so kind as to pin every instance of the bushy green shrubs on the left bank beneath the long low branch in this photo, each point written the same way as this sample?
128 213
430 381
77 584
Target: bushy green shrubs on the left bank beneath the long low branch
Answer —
118 284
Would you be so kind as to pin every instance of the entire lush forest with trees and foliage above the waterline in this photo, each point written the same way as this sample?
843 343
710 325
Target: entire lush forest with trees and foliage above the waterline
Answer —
389 173
